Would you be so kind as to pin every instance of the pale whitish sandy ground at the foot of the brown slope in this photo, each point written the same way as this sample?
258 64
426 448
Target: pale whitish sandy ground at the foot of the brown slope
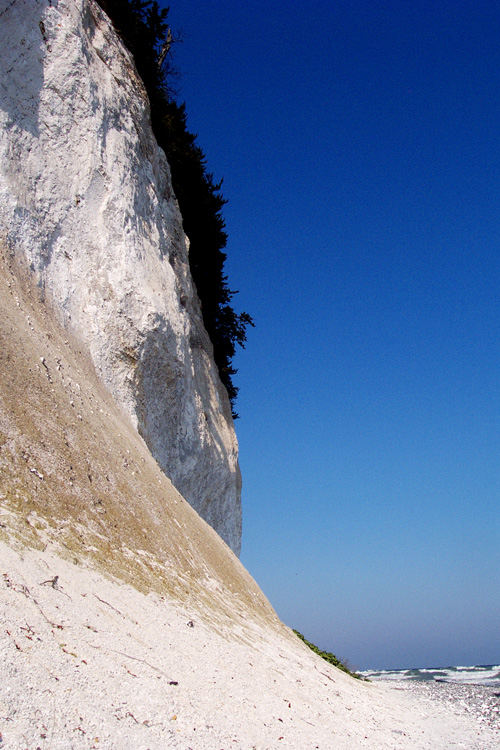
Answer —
93 663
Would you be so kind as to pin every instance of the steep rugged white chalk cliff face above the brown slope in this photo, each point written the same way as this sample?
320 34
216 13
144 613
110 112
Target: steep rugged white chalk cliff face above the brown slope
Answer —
86 202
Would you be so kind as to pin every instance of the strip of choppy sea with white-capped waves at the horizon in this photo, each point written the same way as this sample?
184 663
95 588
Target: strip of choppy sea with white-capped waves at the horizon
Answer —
488 674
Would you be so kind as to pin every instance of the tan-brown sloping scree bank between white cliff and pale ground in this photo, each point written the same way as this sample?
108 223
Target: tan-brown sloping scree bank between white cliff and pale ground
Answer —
78 480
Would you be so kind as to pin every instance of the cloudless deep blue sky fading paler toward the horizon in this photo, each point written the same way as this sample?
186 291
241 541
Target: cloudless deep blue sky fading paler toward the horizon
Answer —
359 142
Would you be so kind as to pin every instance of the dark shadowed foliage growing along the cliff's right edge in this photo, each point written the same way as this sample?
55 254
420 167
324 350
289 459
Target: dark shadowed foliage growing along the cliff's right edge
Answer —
143 26
